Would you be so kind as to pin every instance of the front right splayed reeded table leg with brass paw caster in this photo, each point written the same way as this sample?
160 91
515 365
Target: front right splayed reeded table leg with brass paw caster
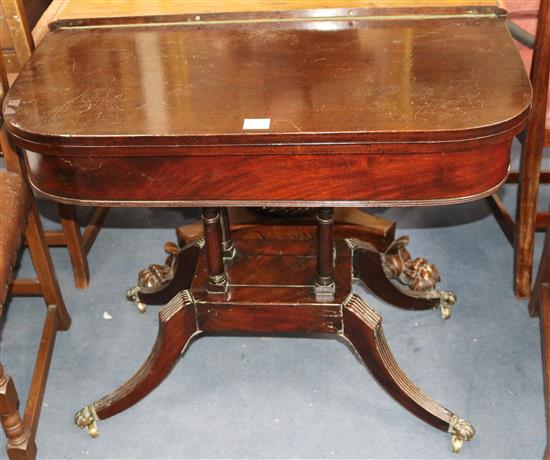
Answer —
363 328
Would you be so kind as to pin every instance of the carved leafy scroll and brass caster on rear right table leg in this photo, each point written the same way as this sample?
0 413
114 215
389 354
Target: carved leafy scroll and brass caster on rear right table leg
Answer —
418 275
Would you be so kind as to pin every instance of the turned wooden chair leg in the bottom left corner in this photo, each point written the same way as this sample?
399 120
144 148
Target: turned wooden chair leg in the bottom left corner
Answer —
20 443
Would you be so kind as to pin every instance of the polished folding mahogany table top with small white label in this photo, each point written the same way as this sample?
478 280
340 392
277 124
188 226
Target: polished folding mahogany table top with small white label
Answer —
332 75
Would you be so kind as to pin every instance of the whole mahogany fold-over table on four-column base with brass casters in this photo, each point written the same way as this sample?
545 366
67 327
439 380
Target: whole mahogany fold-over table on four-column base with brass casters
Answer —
321 109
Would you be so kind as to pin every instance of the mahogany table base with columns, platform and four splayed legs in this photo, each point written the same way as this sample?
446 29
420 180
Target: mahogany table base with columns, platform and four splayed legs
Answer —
284 279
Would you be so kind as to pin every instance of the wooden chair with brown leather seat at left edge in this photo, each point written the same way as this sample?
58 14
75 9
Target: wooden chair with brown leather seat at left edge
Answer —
19 215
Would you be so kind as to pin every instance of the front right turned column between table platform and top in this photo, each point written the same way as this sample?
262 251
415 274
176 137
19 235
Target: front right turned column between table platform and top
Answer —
324 280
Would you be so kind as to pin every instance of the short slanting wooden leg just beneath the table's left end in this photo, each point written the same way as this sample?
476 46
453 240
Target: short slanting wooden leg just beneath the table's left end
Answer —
75 245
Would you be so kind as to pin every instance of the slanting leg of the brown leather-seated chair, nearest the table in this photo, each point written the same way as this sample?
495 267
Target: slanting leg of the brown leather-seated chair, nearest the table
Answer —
43 266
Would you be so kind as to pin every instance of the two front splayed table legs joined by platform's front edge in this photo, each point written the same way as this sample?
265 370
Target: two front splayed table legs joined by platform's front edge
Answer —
355 320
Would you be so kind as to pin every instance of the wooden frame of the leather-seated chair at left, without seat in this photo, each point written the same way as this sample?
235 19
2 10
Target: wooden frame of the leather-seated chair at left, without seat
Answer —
20 432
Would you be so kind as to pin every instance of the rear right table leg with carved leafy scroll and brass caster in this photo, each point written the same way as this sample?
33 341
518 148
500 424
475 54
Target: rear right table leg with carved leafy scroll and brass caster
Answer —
417 277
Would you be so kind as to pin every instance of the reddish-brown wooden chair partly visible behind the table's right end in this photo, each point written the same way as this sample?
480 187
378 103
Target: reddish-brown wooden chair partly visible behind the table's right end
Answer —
521 232
